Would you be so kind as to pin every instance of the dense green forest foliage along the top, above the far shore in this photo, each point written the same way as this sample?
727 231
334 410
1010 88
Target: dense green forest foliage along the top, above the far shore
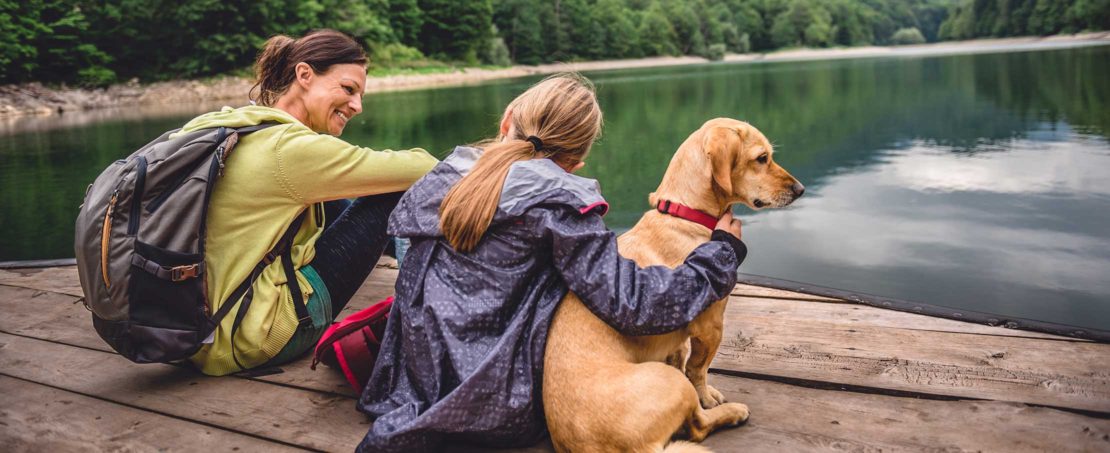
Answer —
99 43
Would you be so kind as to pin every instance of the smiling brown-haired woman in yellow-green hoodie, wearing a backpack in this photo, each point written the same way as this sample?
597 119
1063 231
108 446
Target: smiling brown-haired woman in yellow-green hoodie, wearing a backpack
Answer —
309 89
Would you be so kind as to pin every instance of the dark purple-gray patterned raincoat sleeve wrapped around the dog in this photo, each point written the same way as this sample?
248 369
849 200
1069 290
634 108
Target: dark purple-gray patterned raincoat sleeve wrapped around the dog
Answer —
633 300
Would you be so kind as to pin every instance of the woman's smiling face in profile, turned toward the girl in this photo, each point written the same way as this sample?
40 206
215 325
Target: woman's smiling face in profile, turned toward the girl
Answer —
334 98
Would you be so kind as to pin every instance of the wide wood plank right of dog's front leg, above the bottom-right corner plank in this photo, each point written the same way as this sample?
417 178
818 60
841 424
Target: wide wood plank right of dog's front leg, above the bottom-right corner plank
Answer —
1067 375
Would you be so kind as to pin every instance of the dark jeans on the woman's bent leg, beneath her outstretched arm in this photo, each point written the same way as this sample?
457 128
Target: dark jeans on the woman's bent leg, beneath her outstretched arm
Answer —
351 245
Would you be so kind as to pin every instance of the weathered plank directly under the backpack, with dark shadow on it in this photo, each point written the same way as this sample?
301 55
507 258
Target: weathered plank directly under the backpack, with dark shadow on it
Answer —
299 418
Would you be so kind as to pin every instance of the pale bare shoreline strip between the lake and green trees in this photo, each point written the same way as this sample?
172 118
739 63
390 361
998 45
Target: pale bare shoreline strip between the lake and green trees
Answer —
36 102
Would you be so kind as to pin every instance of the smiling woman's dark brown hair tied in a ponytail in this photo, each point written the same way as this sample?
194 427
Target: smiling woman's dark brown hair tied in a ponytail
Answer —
275 69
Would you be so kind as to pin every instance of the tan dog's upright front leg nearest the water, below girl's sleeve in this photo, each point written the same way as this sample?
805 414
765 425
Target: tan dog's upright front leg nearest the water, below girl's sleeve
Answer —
707 333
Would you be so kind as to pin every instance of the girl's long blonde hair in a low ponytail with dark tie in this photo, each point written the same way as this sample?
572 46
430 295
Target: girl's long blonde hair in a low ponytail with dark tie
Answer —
560 116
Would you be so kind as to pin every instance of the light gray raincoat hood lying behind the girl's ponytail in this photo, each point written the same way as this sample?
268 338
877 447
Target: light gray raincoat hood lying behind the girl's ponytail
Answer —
528 185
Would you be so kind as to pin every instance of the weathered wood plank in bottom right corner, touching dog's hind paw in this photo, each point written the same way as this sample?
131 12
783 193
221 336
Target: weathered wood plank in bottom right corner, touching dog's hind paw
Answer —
790 419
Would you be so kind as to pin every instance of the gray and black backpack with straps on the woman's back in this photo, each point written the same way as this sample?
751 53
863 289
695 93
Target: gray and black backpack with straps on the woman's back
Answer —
140 248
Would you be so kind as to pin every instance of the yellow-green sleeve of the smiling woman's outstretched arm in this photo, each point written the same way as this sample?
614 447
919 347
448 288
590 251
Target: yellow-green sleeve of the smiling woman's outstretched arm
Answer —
315 168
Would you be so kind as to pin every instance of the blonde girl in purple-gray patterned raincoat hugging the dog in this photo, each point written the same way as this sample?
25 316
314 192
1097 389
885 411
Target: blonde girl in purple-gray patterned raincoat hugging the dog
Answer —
500 233
